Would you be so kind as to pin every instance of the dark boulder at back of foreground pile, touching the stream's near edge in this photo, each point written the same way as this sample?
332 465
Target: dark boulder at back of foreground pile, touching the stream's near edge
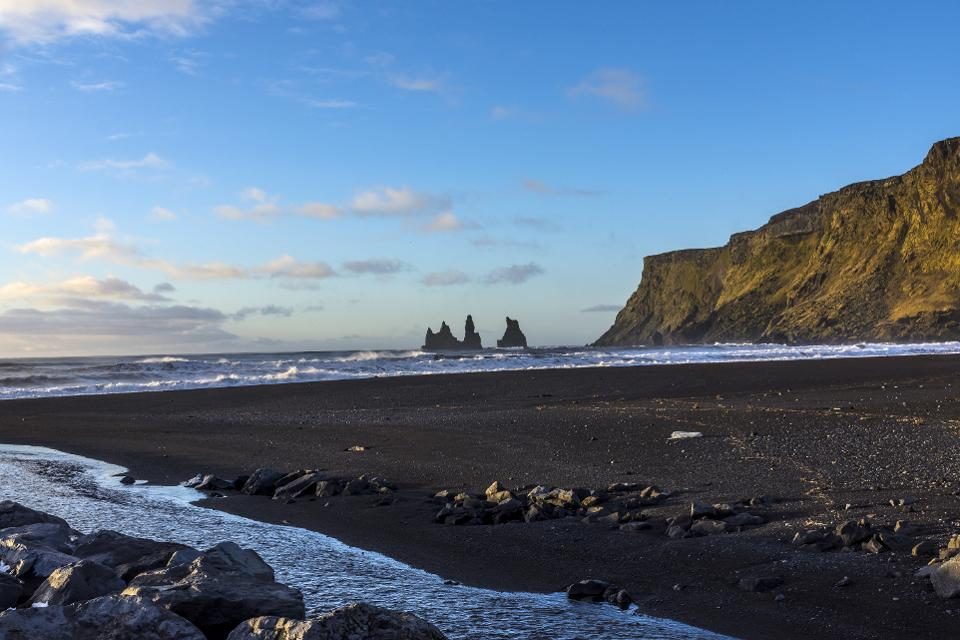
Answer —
126 555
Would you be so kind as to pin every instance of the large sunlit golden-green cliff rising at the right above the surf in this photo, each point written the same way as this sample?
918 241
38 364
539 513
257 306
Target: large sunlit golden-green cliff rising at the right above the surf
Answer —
874 261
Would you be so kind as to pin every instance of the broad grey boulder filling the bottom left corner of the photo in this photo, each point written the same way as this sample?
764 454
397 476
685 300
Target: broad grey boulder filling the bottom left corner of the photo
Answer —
107 618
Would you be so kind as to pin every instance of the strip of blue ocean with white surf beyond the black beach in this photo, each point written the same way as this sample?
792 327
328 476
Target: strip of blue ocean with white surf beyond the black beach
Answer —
42 377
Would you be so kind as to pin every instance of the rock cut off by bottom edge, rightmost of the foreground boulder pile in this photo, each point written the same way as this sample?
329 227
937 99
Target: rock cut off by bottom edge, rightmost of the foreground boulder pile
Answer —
360 621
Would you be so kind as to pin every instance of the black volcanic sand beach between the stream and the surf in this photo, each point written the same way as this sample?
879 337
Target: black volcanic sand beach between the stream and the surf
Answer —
818 435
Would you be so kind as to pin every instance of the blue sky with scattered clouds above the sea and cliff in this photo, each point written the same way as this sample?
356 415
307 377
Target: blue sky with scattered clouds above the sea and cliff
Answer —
182 176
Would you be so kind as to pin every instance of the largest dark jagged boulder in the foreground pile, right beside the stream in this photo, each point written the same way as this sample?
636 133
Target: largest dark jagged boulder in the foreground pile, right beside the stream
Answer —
221 588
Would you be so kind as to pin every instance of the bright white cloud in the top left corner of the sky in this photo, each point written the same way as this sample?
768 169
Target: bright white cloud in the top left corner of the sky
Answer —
28 22
